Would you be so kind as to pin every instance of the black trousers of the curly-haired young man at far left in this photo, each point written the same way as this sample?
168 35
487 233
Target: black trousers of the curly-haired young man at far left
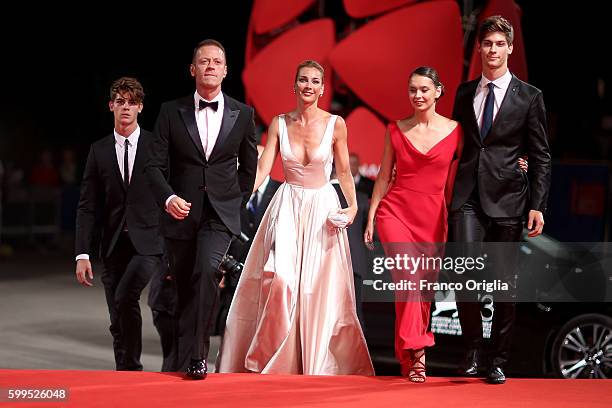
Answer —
126 274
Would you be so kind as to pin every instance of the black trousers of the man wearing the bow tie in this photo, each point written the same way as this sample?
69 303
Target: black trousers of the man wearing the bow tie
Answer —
194 267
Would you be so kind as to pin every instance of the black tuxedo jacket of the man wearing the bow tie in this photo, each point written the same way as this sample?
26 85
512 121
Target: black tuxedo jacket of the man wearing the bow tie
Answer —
178 165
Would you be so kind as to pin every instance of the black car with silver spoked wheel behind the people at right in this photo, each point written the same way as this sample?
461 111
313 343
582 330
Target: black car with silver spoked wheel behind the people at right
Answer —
565 332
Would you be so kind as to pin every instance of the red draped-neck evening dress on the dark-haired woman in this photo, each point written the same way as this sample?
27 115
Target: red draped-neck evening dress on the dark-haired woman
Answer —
412 218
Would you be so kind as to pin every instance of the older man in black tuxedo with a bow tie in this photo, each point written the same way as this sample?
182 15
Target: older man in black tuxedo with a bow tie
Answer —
202 171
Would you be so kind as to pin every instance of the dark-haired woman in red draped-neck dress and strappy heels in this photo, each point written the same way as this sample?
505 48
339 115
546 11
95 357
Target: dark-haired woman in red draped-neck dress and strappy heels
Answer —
411 211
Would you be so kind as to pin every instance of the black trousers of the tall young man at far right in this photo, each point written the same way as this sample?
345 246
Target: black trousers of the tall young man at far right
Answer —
470 224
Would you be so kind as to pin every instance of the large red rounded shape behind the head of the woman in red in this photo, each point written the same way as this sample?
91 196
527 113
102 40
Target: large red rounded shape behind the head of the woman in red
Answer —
375 60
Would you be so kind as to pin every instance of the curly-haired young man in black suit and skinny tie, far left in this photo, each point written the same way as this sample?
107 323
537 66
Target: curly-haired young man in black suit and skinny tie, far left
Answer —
115 191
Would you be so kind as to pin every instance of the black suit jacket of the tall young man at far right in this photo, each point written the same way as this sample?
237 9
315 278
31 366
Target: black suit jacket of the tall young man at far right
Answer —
491 165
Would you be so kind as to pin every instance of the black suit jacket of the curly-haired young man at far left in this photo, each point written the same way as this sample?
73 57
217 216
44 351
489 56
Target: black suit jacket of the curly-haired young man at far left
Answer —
104 200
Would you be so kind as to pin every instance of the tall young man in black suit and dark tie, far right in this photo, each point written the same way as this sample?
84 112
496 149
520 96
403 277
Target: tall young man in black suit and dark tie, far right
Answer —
503 118
